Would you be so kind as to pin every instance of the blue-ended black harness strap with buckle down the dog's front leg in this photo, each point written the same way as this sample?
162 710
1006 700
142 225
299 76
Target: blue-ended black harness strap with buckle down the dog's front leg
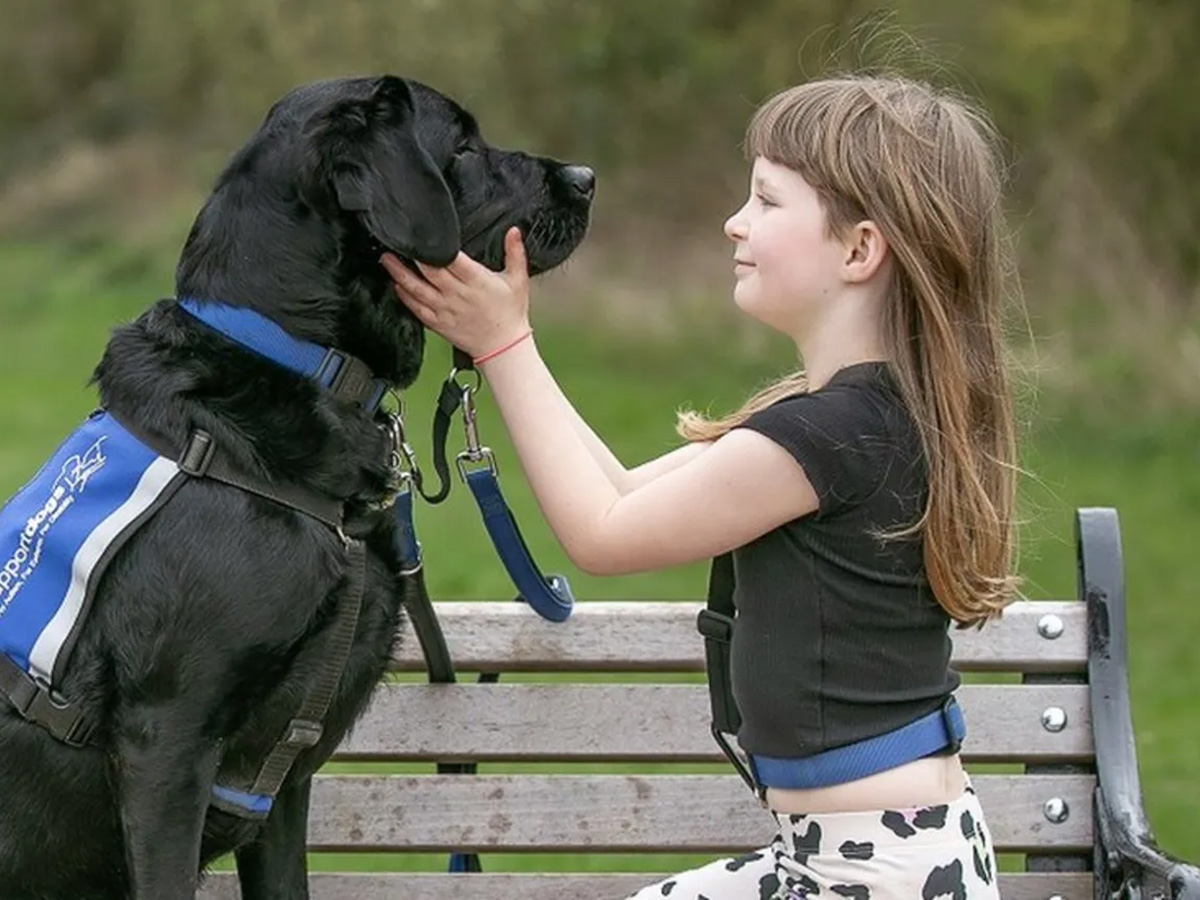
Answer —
307 728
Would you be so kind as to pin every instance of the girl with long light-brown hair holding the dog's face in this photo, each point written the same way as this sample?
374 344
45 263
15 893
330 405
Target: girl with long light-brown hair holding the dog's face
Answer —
868 501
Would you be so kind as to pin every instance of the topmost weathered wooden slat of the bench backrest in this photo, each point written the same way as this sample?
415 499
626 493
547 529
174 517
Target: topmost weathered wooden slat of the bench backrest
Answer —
655 637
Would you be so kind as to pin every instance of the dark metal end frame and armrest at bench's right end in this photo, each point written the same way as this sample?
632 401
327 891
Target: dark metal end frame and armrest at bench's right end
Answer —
1127 861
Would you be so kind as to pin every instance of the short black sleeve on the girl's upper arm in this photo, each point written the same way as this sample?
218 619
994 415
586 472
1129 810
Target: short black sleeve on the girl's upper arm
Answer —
837 435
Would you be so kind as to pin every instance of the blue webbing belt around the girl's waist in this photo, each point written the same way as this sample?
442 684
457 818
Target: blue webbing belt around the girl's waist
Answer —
928 735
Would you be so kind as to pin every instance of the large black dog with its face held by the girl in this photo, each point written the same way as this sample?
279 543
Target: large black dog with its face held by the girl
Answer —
193 656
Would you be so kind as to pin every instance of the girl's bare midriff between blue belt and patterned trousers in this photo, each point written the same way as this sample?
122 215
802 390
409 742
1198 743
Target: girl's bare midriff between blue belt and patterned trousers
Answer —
923 783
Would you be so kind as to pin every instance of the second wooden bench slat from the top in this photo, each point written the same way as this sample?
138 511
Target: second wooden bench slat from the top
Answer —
591 723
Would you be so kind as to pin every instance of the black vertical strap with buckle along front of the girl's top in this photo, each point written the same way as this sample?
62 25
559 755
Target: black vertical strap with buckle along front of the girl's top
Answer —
716 623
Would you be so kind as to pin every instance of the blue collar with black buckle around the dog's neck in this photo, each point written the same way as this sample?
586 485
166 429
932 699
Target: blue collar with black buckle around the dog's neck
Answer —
333 370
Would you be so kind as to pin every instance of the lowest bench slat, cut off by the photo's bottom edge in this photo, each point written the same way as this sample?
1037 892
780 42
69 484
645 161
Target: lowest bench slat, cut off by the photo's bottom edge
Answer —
1070 886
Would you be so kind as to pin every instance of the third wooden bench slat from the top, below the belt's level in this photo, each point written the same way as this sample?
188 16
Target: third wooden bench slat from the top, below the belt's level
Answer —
699 814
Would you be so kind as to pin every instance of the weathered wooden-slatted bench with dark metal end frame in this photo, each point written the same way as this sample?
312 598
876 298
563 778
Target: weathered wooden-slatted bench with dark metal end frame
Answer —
1049 709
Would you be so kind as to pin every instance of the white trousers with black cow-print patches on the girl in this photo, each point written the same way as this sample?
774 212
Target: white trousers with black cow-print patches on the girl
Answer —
923 854
